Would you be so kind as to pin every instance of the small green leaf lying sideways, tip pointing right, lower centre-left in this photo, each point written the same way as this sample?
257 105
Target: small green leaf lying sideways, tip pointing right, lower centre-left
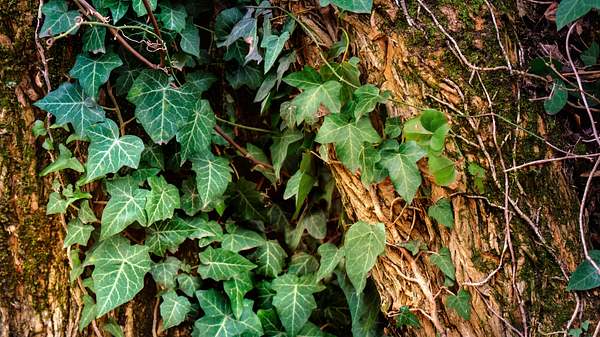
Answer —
222 264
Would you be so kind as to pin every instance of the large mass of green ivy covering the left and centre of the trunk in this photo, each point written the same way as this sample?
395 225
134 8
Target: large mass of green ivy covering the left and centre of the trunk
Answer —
240 248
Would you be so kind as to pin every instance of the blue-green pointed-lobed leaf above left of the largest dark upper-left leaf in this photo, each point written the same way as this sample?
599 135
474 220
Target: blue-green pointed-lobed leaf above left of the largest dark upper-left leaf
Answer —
92 72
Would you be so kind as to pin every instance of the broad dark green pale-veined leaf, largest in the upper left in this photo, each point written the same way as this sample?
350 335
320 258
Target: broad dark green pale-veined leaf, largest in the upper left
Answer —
159 107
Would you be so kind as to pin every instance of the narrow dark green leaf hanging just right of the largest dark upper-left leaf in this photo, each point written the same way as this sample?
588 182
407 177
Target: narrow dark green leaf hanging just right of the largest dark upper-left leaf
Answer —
195 133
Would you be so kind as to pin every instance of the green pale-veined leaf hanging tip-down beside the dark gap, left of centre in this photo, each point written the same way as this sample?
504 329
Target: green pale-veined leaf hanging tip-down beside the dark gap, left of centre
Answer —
213 174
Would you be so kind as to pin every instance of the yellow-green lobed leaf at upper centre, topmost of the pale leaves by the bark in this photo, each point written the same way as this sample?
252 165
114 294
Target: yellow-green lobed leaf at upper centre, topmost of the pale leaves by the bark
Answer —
310 100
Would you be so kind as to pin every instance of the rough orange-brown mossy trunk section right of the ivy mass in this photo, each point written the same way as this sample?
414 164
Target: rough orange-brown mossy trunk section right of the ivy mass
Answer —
439 62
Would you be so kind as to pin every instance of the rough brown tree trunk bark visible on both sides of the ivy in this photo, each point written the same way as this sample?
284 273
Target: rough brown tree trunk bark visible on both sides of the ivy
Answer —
537 207
